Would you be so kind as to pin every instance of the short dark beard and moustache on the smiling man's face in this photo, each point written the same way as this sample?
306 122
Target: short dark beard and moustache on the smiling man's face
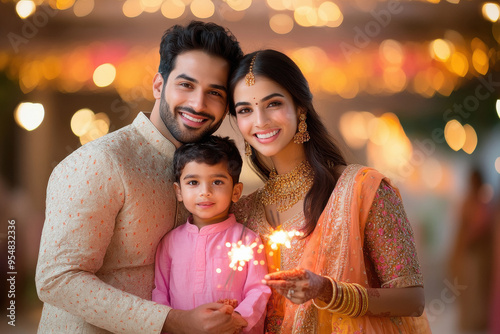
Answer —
188 135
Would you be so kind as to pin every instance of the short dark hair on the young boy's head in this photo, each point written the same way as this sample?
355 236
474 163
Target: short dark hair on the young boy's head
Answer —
211 151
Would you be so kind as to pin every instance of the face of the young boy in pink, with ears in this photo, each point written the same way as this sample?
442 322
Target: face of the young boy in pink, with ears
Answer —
207 192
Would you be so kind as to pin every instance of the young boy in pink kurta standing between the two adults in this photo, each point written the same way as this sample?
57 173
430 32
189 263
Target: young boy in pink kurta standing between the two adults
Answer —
192 261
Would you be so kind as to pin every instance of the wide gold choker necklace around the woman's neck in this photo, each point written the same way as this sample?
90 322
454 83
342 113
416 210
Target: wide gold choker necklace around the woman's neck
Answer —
287 189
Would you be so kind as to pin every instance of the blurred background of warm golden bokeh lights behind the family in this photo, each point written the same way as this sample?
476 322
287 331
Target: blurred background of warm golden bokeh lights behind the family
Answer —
411 88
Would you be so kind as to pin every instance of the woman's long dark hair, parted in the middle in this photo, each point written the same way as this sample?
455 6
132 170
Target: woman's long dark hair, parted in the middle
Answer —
321 151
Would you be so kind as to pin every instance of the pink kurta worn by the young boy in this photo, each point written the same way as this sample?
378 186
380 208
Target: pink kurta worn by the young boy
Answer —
192 268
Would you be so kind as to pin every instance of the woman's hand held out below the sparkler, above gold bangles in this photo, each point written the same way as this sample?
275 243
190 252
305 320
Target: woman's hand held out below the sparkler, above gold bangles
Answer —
300 285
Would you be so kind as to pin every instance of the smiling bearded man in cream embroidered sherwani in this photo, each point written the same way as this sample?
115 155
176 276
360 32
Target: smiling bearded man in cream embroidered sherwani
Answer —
111 201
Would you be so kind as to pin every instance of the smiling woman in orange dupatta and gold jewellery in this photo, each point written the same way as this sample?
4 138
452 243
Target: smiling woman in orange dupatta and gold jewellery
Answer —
355 269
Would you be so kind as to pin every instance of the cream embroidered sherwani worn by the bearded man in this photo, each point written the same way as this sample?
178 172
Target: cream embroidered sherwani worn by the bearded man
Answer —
108 205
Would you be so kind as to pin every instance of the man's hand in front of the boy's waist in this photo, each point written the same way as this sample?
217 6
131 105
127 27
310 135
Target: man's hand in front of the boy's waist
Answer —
207 319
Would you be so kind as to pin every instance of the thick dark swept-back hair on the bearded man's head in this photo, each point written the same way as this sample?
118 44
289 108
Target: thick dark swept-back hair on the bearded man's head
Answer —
205 36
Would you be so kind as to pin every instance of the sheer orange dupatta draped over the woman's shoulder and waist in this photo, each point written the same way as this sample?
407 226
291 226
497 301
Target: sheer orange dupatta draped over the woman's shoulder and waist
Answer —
335 249
